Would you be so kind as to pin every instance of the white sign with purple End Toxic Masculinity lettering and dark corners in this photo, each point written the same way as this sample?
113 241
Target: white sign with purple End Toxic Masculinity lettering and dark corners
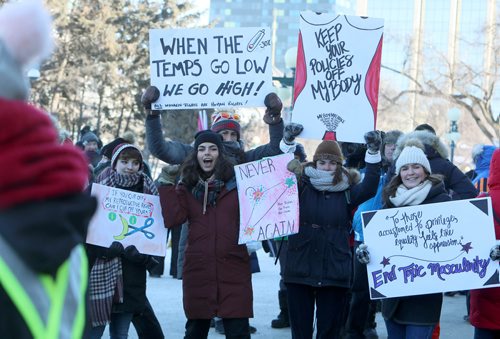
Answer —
430 248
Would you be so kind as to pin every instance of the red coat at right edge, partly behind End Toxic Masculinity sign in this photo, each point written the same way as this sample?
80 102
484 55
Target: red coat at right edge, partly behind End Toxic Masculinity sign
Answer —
485 303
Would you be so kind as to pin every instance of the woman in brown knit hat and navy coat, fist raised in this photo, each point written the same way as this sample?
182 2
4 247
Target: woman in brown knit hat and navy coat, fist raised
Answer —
318 269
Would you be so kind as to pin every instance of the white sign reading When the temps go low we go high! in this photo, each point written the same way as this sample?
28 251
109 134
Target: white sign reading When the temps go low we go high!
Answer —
210 68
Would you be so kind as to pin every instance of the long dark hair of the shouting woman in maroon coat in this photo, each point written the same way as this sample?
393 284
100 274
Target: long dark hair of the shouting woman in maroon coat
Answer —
191 170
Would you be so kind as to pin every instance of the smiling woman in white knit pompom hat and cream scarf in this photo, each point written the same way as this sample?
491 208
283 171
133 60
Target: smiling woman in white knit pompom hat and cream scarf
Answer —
412 316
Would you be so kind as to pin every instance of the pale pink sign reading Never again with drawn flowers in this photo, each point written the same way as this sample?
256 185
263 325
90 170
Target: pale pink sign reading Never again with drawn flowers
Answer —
268 199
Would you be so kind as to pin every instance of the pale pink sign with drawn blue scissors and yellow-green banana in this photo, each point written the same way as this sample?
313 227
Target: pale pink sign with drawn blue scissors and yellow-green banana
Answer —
128 217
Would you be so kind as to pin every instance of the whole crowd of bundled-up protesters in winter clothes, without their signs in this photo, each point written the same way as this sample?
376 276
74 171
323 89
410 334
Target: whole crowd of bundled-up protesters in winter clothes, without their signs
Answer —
54 285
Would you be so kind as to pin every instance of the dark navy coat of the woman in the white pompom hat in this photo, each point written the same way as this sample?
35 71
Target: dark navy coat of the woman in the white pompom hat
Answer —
424 310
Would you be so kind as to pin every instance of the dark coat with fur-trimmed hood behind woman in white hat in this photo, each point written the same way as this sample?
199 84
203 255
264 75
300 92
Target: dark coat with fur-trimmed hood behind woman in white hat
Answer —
455 182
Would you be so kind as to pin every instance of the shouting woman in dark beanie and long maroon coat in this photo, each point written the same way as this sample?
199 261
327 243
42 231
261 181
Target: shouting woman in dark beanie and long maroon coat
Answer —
216 277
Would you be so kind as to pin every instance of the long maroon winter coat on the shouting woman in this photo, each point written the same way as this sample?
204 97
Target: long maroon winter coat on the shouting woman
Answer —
216 277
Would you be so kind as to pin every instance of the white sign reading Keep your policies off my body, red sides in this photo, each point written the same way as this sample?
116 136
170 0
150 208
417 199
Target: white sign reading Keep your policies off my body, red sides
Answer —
337 76
